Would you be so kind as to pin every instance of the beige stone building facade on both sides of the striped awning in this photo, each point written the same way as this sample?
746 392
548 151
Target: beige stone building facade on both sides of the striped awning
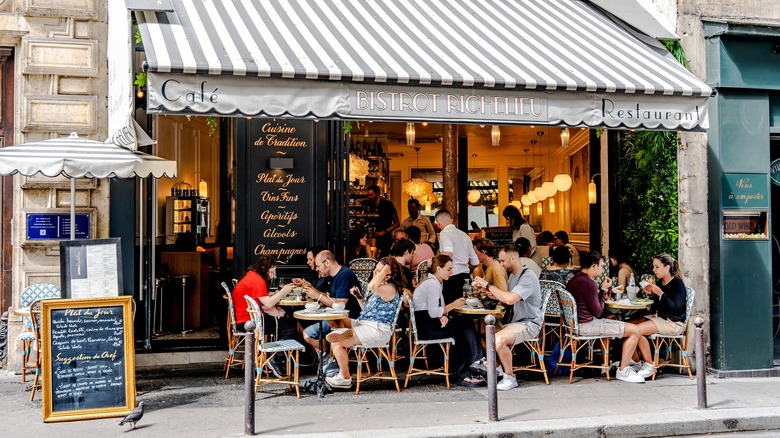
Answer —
55 81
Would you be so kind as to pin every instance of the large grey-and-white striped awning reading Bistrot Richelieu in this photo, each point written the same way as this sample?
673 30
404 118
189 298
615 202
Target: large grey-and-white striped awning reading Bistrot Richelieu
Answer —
558 62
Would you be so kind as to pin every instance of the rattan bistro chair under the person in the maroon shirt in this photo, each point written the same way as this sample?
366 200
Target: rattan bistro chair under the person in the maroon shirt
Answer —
572 339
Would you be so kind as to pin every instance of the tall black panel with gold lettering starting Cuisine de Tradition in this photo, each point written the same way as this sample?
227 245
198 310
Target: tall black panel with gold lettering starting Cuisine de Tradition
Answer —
281 194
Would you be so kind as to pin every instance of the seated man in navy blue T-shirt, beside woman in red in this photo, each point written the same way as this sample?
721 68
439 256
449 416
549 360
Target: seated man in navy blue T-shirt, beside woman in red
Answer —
343 281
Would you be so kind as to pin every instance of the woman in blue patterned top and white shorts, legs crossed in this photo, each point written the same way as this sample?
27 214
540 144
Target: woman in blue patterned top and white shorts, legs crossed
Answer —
374 326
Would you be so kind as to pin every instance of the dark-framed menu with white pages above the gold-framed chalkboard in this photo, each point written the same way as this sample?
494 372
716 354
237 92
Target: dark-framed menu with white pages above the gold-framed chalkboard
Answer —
90 268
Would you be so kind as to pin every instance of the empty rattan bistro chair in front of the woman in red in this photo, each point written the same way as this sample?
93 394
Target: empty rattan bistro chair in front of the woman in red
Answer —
265 352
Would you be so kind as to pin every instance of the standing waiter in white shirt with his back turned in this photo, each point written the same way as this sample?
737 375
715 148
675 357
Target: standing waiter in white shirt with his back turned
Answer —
456 244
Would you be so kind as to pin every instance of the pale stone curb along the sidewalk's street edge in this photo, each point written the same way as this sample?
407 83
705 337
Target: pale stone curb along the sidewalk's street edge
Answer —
692 422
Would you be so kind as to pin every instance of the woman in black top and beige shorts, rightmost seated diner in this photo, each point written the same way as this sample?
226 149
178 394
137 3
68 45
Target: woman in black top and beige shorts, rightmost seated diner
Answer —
668 310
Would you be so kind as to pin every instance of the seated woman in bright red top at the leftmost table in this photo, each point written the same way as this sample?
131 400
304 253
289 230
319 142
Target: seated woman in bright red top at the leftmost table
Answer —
255 284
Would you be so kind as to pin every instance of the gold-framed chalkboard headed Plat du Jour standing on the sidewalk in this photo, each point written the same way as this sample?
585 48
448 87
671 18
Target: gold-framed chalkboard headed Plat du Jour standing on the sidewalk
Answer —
88 358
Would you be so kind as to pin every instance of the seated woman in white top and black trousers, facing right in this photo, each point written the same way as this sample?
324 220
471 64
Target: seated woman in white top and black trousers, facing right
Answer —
432 320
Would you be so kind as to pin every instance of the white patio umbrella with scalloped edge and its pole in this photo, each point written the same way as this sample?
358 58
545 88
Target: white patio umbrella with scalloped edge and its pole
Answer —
75 157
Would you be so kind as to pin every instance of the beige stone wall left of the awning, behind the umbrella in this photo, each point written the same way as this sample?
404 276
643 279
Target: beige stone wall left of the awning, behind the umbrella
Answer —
58 85
